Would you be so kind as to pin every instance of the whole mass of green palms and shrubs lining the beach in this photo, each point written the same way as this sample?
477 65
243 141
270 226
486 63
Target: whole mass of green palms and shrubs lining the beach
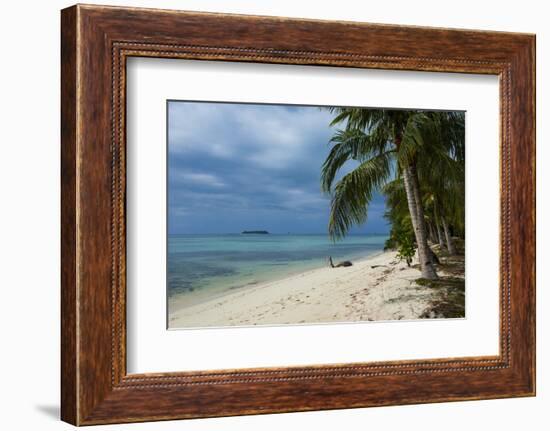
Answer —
416 160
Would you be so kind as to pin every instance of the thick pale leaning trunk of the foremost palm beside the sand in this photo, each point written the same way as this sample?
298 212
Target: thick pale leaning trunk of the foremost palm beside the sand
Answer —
418 222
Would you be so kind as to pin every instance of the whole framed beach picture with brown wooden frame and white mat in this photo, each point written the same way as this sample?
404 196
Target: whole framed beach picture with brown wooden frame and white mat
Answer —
263 214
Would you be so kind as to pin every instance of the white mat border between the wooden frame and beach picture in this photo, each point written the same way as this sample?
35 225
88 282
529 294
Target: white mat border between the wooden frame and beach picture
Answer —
153 348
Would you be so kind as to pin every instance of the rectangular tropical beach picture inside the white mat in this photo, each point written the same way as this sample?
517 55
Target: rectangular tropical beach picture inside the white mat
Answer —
298 215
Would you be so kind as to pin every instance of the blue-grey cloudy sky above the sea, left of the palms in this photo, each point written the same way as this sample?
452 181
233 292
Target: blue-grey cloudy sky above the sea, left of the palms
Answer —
235 167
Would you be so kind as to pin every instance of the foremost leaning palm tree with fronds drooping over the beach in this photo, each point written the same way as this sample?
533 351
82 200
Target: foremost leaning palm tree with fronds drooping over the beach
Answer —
384 142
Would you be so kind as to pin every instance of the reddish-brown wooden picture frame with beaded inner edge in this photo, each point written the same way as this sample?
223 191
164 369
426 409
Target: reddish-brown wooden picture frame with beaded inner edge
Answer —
96 41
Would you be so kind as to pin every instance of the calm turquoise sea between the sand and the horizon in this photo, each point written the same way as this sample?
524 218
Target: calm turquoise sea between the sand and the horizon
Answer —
202 266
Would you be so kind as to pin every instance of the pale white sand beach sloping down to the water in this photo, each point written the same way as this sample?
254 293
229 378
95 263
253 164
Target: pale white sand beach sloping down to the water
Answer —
377 288
